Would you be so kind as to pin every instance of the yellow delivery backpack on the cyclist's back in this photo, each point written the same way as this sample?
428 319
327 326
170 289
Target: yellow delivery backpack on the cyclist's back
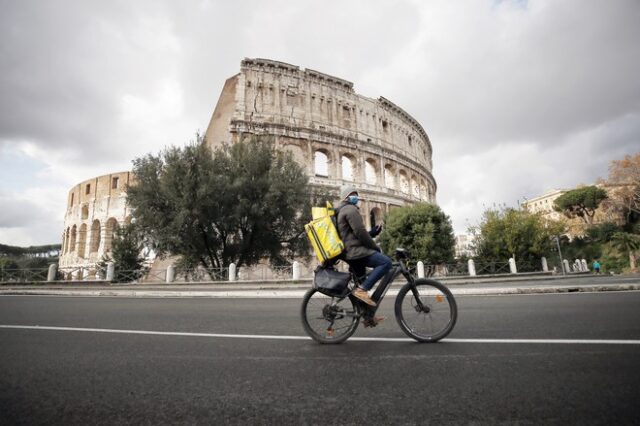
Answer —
323 233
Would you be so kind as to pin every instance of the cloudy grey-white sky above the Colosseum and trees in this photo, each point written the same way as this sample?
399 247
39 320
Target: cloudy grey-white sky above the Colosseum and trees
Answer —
518 97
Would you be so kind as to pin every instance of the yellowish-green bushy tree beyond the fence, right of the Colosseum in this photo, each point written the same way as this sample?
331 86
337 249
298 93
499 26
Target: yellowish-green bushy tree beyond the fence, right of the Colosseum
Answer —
508 232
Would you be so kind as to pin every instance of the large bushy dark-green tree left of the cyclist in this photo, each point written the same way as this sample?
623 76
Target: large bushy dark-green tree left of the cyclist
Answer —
239 204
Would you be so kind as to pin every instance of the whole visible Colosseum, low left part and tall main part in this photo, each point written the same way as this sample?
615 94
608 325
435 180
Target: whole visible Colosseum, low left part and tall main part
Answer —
337 135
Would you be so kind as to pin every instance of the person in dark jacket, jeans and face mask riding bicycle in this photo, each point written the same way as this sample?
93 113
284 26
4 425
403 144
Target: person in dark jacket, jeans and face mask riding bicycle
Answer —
361 250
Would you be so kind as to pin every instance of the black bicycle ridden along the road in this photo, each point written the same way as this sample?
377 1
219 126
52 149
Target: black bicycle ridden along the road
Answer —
425 309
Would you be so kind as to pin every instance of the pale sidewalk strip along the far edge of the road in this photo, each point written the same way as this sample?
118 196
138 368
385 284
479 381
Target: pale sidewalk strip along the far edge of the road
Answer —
289 289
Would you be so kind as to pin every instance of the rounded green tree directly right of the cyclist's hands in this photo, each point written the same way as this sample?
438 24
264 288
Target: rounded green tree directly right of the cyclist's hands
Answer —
424 229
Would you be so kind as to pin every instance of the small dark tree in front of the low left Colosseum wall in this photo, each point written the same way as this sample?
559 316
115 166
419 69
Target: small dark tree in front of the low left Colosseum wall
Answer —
126 253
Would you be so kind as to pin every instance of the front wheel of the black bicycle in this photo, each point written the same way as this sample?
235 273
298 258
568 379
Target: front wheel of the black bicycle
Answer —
426 311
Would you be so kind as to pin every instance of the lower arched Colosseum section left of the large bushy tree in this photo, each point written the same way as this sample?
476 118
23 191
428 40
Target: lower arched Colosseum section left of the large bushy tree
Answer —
95 208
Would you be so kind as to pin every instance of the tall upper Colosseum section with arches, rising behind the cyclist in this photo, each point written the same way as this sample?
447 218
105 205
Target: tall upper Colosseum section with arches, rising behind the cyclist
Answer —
338 136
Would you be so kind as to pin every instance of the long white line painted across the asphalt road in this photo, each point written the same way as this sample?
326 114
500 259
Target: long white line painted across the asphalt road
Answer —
358 339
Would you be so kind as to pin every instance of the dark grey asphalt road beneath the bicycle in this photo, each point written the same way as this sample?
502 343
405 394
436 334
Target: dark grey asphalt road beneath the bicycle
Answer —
88 377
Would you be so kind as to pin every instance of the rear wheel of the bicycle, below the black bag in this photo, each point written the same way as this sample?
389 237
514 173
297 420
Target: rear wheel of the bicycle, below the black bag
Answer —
328 319
